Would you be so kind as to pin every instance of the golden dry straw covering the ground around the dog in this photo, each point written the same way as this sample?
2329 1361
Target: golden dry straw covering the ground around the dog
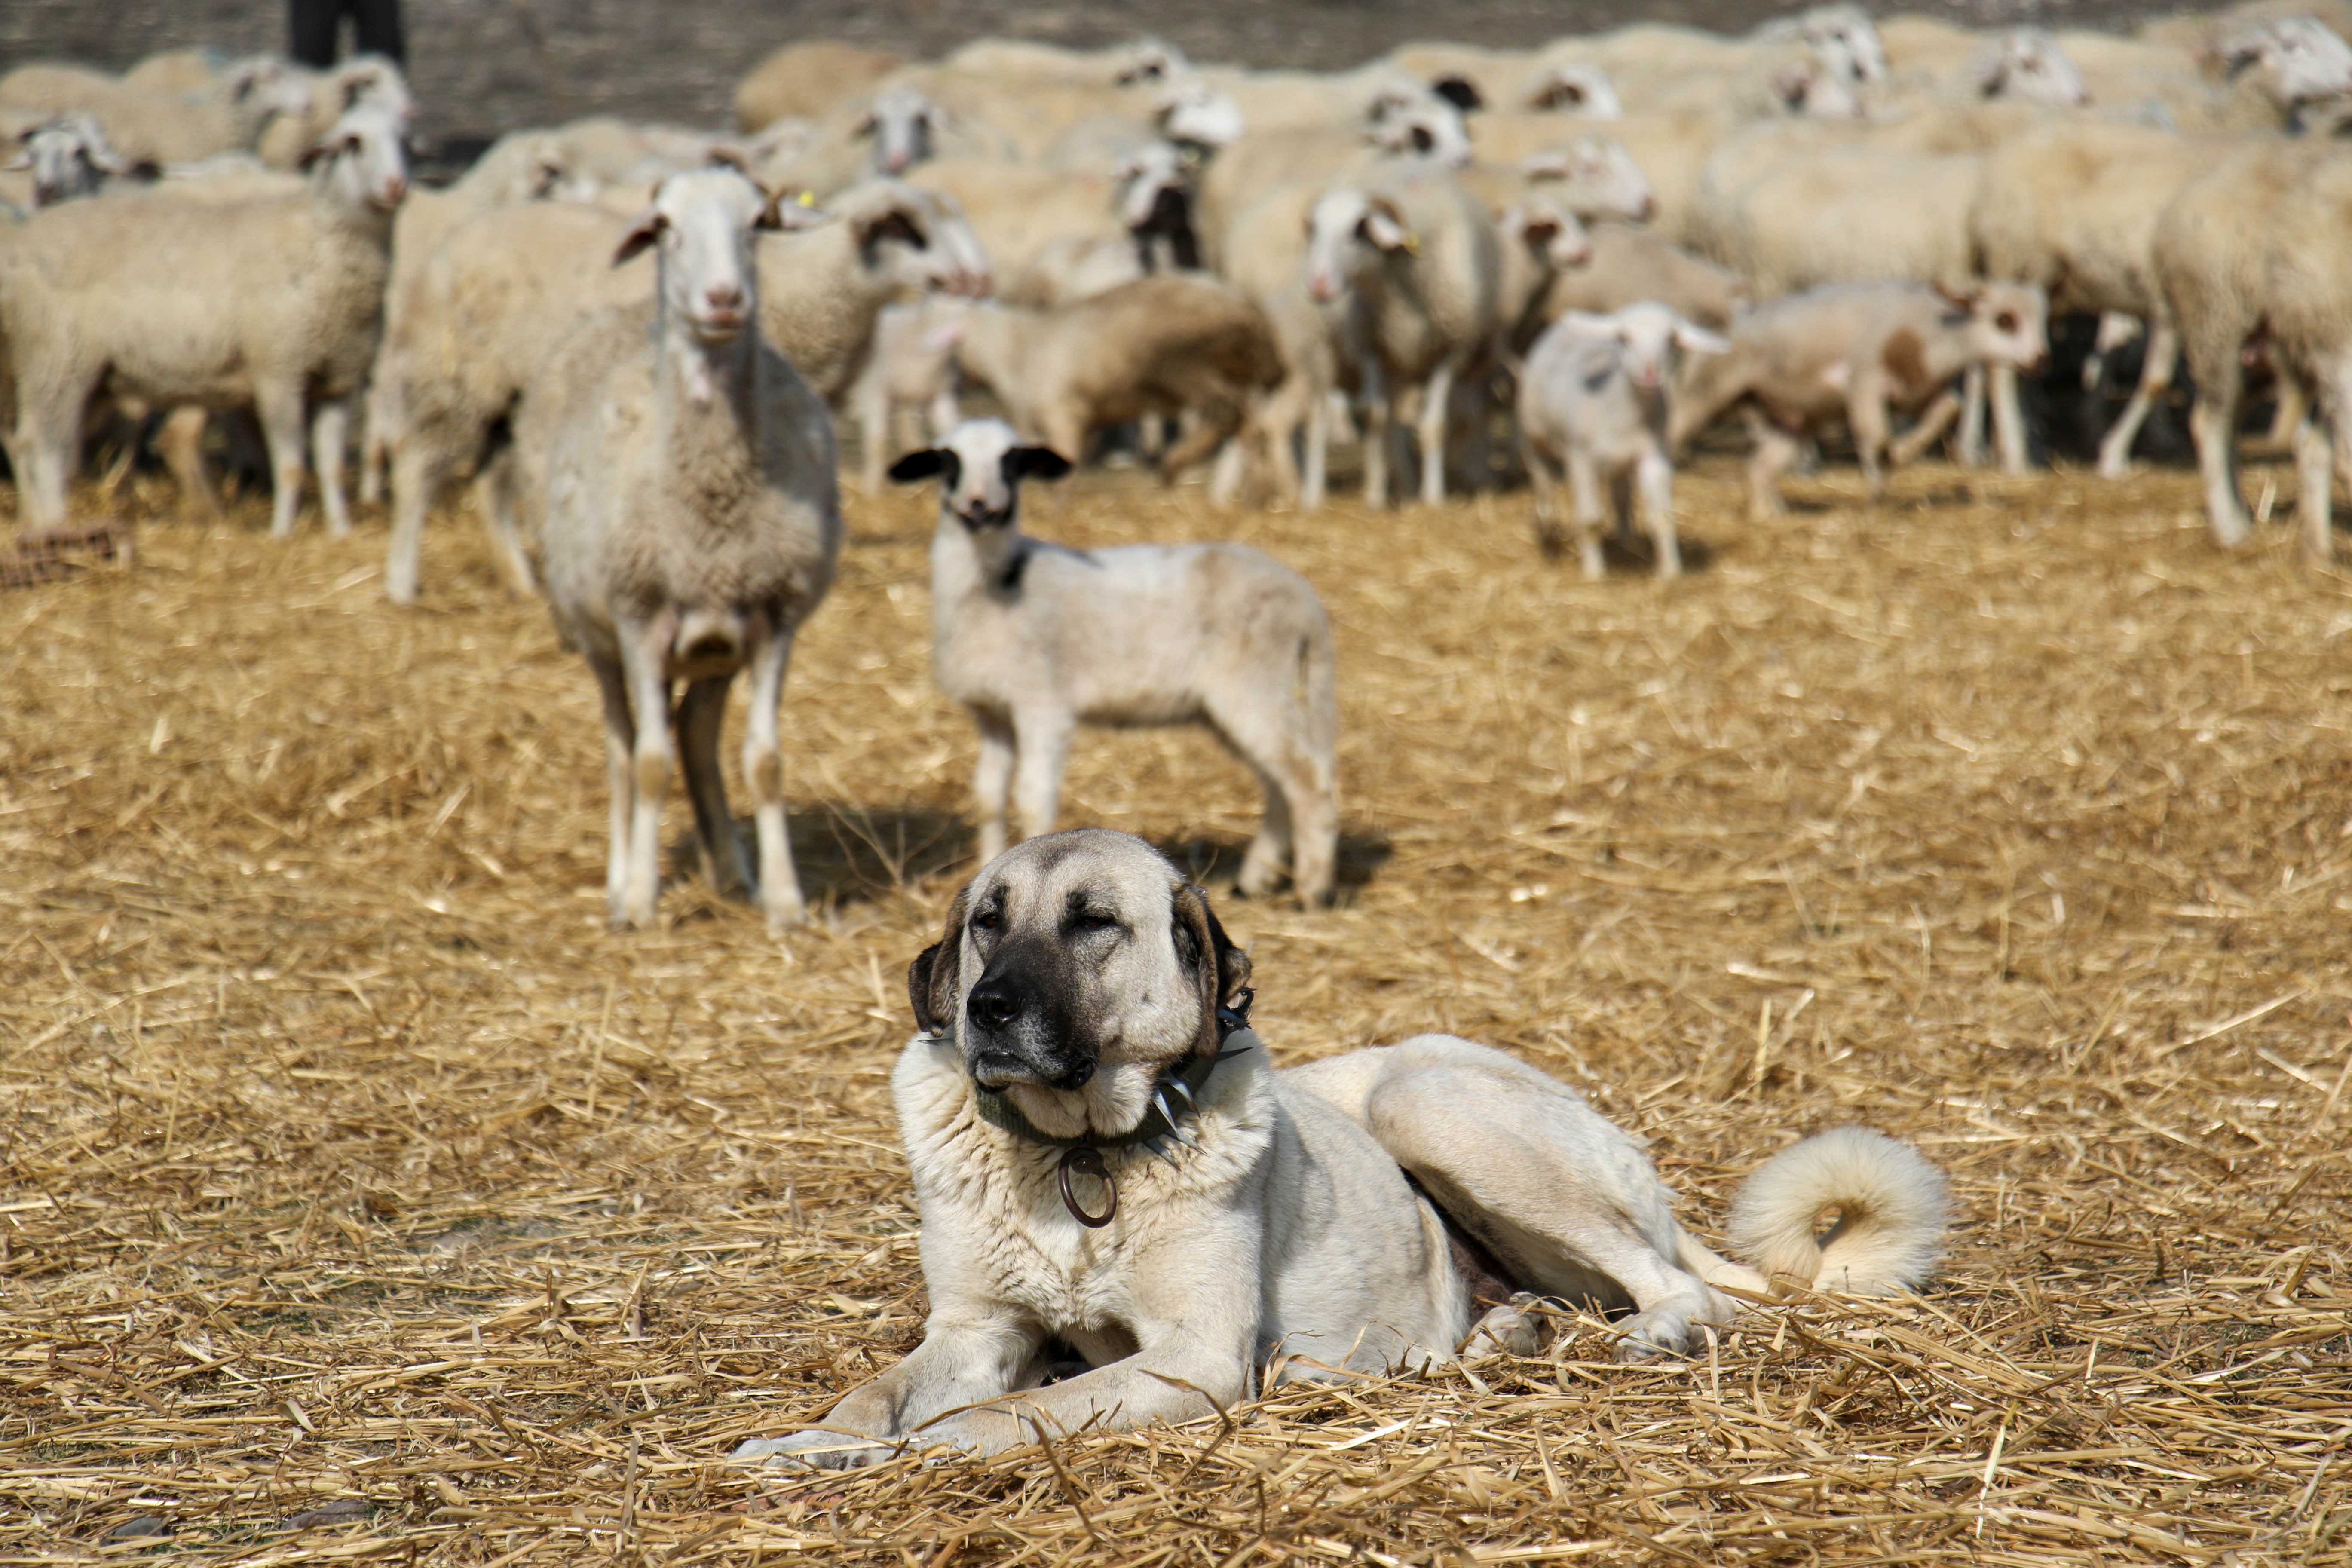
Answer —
366 1200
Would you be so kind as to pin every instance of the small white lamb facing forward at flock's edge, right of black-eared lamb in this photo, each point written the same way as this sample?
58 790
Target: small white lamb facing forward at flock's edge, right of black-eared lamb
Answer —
1596 401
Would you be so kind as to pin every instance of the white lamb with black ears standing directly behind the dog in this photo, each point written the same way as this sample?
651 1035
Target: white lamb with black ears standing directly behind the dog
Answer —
1038 638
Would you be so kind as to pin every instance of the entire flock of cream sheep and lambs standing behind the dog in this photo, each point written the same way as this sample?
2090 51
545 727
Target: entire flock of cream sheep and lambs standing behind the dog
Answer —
1601 248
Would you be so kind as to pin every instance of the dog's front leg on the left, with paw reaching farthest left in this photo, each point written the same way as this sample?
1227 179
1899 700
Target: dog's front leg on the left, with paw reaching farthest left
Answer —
963 1360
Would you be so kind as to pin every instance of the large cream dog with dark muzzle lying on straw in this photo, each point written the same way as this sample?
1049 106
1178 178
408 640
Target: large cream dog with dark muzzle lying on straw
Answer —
1107 1162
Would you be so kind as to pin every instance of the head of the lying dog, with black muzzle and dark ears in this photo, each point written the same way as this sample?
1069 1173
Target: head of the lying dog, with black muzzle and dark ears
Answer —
1071 972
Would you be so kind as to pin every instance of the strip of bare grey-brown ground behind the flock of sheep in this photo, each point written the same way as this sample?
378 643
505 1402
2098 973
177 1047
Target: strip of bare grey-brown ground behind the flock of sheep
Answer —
488 67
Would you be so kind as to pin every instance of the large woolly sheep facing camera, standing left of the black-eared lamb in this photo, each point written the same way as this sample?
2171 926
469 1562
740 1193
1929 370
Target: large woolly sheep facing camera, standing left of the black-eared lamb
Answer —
686 516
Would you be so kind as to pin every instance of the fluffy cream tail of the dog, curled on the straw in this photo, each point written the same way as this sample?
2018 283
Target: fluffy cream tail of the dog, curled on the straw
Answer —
1890 1207
